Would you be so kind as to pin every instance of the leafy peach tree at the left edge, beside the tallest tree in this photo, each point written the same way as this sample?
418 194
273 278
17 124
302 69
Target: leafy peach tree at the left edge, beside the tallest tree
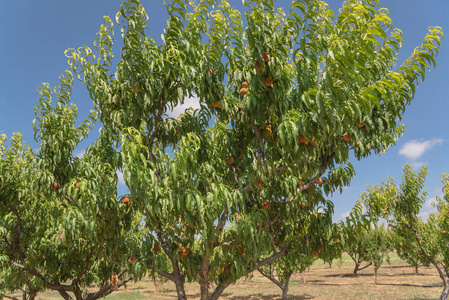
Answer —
61 219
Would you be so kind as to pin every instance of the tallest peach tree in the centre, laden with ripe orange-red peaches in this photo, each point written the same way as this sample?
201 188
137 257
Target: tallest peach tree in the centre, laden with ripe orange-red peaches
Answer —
285 97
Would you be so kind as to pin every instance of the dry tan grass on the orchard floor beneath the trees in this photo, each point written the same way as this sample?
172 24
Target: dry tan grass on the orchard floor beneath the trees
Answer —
395 281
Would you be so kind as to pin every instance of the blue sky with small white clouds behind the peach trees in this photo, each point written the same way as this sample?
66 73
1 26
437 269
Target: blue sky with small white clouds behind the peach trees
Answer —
34 35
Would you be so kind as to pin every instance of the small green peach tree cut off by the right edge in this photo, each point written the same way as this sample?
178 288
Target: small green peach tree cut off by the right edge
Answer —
401 204
